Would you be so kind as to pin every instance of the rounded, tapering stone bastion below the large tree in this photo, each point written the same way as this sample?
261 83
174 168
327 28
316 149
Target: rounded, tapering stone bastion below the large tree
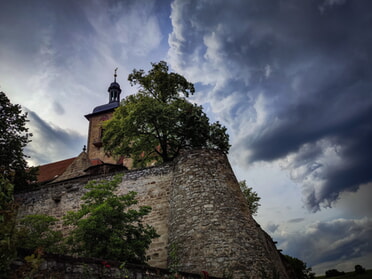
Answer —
207 210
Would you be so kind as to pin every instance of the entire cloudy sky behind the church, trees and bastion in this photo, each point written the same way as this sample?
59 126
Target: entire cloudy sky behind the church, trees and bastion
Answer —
291 80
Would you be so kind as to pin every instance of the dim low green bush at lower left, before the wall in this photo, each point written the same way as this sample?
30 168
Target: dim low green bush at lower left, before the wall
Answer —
35 231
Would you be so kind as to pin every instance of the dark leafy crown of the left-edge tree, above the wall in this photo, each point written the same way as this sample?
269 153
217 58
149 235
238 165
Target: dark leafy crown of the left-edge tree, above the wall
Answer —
14 137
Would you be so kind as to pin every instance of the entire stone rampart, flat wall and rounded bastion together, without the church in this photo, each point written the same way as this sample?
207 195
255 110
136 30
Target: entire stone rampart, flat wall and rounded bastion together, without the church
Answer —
197 207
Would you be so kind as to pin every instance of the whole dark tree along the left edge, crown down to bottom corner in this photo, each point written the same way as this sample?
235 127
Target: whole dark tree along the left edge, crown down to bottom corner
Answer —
14 174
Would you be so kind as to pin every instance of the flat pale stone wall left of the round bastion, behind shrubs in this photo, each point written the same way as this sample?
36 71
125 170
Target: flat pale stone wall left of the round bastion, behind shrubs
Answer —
151 184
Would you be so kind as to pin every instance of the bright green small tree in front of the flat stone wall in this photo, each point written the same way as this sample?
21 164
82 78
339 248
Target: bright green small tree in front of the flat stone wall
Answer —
107 226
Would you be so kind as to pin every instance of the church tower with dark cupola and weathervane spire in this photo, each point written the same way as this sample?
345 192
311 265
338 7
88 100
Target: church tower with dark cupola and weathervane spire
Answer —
96 118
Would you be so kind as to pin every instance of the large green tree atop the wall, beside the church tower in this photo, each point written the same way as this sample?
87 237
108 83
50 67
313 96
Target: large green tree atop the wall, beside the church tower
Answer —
158 121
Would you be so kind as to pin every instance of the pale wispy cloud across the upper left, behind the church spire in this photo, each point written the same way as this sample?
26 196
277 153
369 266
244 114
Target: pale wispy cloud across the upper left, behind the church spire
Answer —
64 53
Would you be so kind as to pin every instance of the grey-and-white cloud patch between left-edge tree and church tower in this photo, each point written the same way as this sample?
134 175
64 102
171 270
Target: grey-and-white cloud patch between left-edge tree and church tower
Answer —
51 143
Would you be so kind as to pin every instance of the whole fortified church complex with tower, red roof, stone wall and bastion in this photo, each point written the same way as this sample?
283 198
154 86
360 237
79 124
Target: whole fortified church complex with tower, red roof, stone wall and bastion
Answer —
197 205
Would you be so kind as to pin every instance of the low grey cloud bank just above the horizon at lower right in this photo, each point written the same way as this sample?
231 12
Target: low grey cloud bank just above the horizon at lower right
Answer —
331 241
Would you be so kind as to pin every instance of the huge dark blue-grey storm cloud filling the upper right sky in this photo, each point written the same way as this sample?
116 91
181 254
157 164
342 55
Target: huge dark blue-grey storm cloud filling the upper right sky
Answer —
301 82
